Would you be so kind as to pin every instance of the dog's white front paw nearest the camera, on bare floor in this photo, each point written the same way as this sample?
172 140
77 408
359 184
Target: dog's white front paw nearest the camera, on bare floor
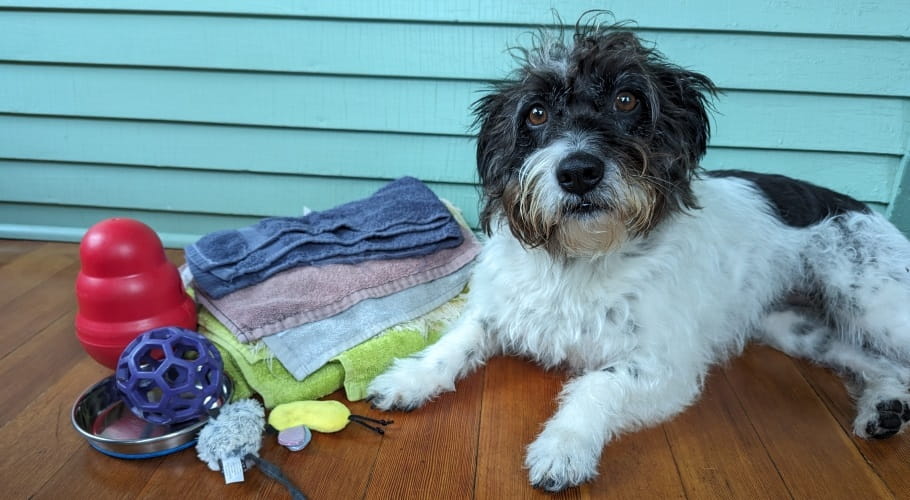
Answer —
561 458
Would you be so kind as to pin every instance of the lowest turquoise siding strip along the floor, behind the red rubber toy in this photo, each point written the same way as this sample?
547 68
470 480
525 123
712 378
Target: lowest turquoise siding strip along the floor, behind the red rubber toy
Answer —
68 223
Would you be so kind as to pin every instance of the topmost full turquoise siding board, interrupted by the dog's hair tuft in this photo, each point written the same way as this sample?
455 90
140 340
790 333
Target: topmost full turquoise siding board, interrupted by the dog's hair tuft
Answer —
733 60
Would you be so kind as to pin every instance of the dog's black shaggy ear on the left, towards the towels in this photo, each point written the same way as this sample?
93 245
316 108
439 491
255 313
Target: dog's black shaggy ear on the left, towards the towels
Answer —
496 145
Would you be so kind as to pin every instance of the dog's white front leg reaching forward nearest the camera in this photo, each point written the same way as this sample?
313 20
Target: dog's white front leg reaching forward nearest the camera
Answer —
597 406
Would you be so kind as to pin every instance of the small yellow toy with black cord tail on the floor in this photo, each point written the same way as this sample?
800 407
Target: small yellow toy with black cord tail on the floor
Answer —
321 416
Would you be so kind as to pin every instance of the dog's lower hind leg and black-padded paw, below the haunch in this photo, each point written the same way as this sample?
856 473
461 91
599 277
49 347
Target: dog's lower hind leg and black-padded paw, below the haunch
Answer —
878 383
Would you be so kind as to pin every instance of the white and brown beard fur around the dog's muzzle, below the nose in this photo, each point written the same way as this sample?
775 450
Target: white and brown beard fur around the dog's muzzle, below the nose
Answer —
540 214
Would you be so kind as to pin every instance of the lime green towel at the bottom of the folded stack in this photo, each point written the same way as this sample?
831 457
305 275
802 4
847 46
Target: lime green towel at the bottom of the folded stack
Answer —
254 370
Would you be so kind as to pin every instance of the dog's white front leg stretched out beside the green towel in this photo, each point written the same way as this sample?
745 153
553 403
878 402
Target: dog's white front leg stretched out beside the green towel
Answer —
412 381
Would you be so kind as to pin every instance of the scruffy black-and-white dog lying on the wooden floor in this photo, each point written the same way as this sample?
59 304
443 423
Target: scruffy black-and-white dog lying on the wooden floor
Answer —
613 254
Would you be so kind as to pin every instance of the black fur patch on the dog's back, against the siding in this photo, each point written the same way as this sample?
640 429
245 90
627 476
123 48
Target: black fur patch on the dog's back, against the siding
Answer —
797 203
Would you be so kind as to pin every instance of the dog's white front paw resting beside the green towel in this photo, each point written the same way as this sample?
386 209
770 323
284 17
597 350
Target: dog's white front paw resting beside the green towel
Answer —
407 385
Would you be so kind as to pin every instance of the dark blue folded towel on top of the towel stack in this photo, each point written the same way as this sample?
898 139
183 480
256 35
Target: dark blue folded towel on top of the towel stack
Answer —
403 219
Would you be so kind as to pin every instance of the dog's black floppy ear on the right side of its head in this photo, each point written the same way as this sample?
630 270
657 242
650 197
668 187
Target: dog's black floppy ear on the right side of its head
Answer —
685 103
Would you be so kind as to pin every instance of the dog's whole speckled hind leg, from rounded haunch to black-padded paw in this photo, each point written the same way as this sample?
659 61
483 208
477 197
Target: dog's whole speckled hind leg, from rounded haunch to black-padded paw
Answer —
858 268
